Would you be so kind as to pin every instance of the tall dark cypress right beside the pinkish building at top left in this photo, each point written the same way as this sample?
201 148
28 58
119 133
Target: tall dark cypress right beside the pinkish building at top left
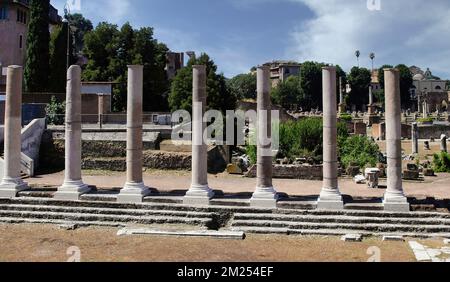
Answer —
37 68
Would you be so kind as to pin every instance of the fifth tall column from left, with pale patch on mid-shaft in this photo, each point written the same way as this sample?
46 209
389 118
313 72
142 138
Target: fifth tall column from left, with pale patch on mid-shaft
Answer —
265 195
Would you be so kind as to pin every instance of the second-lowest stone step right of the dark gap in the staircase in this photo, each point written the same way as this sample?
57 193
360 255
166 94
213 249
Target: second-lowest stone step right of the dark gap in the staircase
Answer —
348 226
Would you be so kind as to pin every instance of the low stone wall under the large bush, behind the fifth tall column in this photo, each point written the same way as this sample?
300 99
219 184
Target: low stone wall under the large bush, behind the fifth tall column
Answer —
292 172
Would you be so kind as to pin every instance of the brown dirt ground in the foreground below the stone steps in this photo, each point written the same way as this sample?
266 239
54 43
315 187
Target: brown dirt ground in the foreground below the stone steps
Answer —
47 243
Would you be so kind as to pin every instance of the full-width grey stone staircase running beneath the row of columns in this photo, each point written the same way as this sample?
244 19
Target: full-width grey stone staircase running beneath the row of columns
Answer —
101 210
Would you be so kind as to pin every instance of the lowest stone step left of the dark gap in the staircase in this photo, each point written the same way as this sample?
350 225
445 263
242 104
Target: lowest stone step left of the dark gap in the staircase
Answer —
109 218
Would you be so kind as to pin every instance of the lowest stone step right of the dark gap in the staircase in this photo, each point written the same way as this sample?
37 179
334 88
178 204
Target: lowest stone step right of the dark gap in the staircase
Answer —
334 232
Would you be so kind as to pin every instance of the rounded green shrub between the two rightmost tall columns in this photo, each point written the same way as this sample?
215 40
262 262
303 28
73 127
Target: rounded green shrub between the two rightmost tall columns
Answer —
359 150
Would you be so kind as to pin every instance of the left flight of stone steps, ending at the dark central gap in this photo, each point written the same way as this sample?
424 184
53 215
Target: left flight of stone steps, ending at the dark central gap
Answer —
34 210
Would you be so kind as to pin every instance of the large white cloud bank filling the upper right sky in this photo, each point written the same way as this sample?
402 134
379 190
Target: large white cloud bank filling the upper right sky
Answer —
404 31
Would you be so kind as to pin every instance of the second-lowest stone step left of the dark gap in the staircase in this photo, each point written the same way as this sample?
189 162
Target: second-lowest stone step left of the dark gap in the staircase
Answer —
105 211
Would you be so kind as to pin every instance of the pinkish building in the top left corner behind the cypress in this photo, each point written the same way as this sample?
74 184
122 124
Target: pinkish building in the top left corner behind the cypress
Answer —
14 18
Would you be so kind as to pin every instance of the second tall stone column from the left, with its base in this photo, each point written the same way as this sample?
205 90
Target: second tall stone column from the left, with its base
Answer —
73 185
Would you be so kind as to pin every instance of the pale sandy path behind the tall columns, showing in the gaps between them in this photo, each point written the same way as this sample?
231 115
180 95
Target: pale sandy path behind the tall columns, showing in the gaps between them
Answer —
438 187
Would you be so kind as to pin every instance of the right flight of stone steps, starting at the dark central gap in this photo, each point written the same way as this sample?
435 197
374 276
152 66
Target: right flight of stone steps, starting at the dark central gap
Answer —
369 223
